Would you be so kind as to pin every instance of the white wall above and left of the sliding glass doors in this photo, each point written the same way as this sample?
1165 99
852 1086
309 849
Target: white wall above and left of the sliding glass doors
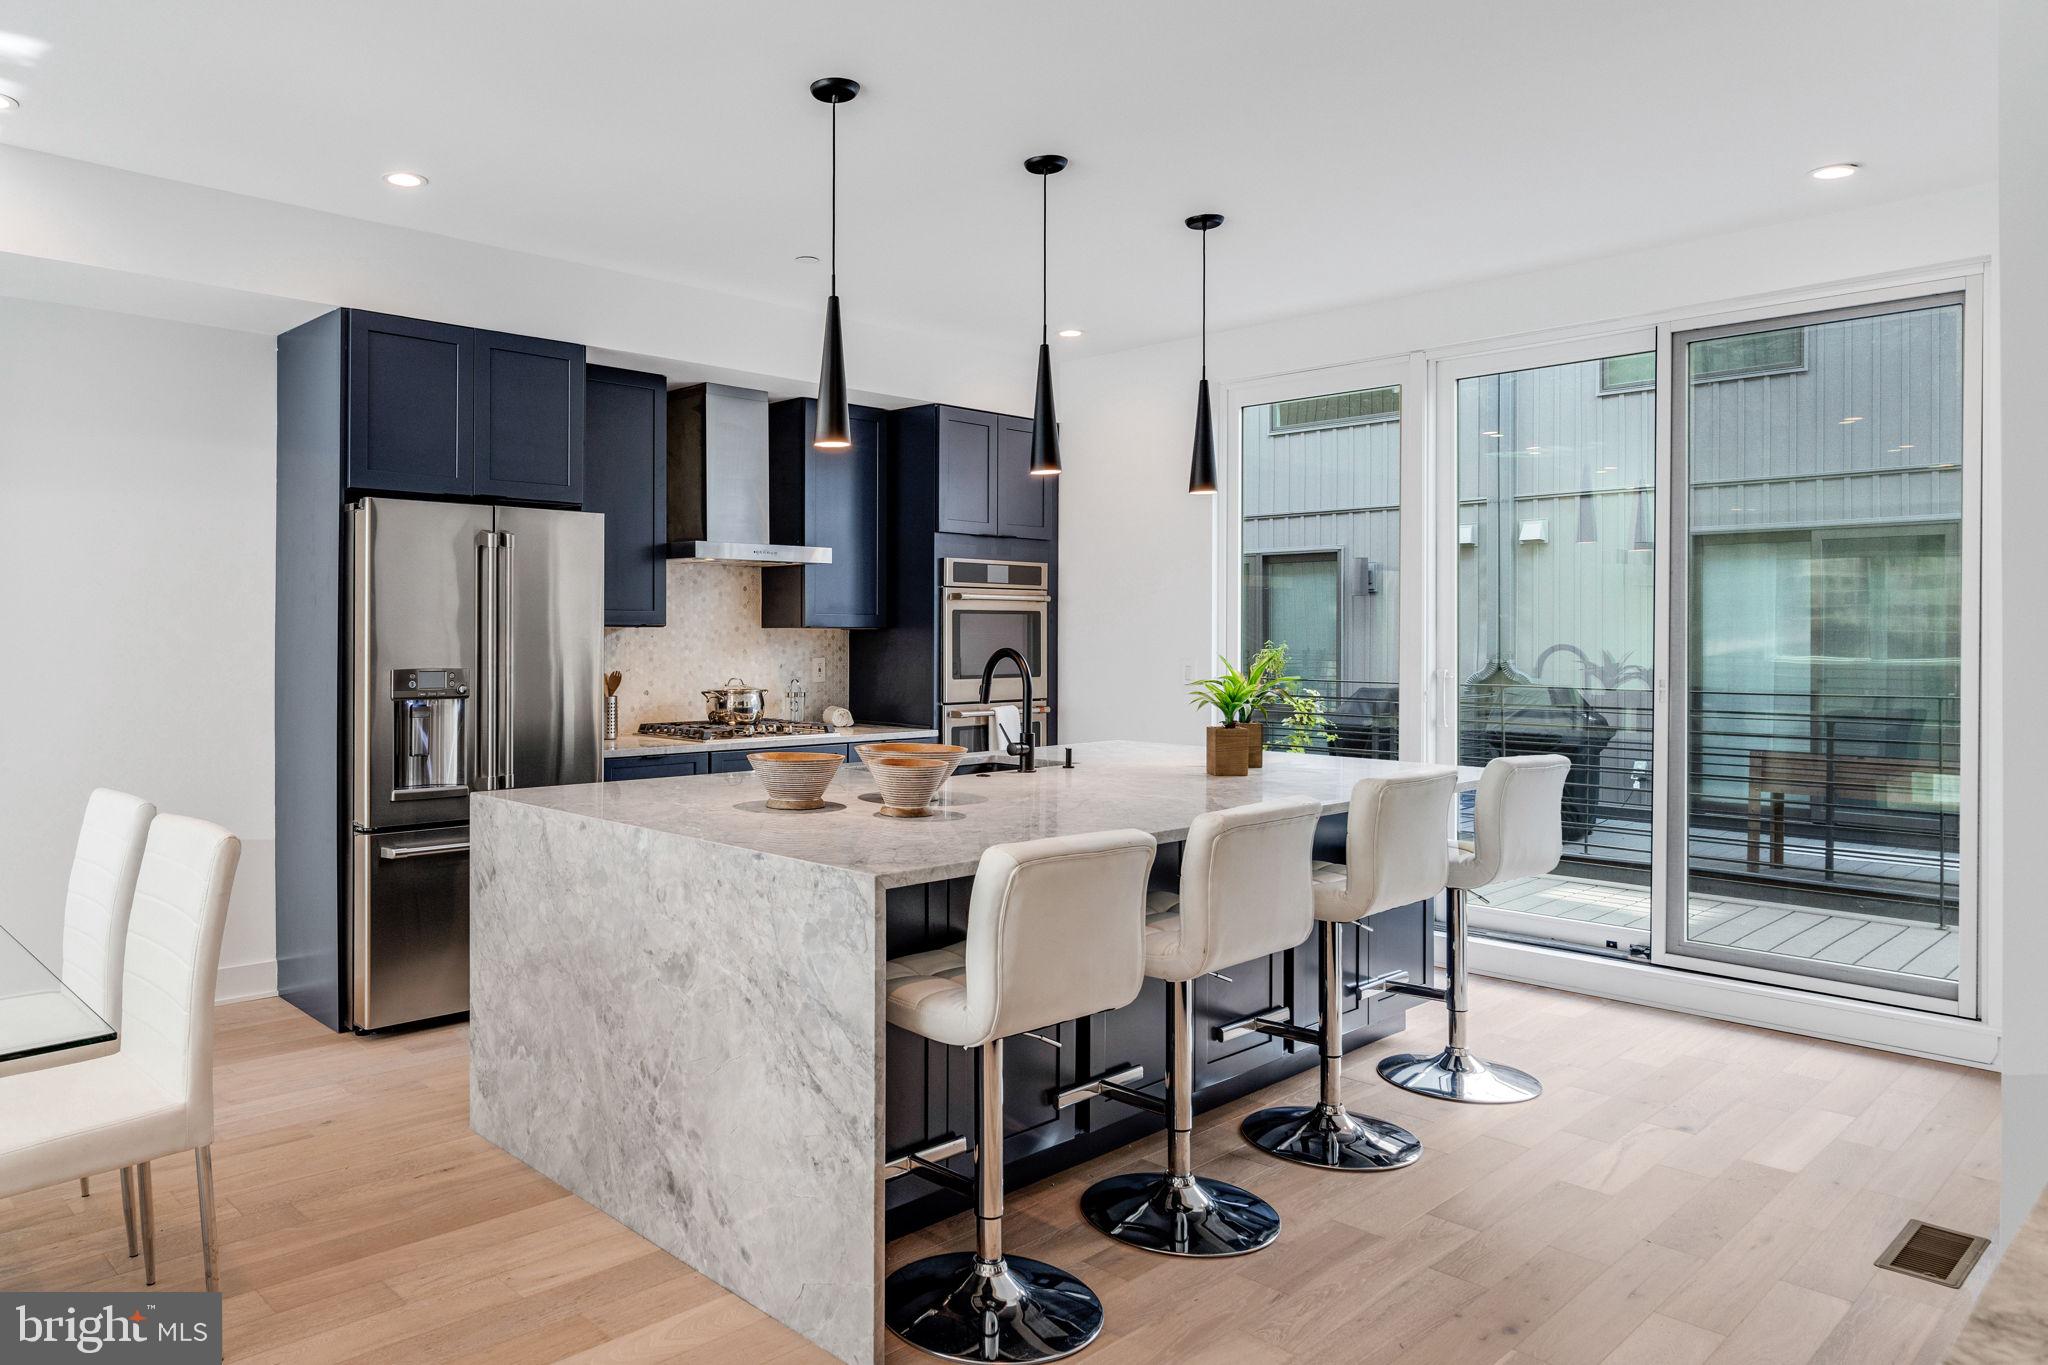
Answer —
1138 549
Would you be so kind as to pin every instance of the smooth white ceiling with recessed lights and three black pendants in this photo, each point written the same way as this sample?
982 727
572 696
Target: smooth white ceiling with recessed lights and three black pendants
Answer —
1359 148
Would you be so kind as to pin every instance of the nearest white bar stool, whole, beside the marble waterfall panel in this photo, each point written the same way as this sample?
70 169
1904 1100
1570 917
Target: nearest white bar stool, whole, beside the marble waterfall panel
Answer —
1056 930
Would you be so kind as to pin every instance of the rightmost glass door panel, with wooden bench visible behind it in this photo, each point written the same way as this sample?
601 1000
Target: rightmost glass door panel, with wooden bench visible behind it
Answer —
1822 625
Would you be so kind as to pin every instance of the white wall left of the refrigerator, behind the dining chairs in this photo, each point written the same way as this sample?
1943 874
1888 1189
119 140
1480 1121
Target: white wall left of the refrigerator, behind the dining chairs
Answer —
136 560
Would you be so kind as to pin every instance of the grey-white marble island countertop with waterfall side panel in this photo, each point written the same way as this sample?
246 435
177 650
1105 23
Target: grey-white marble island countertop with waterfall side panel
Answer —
677 996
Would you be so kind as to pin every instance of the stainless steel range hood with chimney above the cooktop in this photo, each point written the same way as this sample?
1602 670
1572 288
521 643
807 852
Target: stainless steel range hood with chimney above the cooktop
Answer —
718 480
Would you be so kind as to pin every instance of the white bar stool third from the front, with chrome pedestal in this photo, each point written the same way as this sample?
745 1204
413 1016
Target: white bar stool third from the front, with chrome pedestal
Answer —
1394 856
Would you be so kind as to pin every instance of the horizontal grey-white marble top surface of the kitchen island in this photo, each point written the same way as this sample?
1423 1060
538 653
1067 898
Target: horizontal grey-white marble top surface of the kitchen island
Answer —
1115 785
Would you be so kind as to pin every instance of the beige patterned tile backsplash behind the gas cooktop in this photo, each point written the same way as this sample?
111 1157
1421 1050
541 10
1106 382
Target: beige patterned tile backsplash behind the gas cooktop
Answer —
714 633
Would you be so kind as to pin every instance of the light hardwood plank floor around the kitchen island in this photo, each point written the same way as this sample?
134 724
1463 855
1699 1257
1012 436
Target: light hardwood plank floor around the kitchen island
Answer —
1684 1194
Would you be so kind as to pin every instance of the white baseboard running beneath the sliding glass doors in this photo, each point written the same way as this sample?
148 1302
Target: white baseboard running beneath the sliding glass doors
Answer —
1889 1028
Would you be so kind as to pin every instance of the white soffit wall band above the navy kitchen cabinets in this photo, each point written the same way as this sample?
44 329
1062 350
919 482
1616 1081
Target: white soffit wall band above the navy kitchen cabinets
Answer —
91 232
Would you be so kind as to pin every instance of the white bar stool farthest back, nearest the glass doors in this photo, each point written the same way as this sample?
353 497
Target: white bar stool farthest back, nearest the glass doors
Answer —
1519 830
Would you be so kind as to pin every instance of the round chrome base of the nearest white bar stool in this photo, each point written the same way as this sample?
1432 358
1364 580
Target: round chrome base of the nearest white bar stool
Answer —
966 1309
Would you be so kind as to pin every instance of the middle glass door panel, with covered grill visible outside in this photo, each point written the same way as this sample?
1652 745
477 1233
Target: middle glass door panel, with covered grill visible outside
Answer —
1549 615
